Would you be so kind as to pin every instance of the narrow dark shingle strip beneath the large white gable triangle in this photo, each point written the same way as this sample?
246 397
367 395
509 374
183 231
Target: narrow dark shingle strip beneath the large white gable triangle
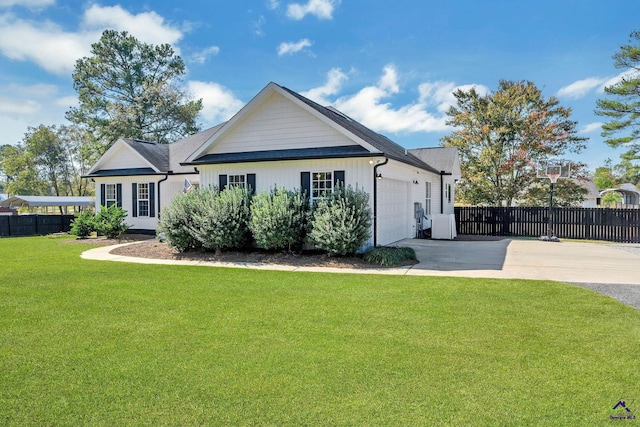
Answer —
291 154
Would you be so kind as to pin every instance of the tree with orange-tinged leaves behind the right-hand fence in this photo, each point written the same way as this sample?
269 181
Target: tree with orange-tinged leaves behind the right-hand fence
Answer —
501 136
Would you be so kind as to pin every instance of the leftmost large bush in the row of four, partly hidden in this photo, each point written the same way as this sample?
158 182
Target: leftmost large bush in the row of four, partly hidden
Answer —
176 219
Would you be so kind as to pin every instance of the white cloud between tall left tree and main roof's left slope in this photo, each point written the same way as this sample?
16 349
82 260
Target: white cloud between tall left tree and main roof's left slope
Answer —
218 103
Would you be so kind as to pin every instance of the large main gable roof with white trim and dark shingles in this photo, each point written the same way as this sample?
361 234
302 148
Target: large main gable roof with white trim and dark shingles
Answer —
372 143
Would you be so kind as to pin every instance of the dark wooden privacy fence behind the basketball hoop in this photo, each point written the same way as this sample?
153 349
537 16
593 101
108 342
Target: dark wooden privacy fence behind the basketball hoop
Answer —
615 225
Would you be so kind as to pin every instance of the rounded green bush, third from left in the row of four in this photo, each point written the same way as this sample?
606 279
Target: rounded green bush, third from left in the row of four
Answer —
279 219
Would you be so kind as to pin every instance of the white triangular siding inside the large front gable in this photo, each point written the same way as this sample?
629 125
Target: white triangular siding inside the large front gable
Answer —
278 124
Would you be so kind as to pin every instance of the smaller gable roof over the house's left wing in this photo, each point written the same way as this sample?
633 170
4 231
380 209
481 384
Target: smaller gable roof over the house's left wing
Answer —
161 158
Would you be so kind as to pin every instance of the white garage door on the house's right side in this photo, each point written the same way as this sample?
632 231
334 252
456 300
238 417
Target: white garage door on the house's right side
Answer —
393 211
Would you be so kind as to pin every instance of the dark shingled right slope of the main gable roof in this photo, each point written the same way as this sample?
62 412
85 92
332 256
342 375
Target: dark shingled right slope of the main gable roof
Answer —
386 146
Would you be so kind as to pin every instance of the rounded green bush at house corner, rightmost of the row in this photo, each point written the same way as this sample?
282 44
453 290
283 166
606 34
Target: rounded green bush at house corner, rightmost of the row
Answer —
341 223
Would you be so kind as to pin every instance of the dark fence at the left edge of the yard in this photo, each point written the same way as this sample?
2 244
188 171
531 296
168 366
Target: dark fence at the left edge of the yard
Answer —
32 225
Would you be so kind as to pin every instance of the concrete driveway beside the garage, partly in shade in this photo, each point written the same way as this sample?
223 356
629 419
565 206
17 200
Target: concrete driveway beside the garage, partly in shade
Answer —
574 262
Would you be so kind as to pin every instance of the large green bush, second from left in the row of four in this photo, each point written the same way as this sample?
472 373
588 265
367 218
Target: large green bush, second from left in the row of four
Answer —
221 220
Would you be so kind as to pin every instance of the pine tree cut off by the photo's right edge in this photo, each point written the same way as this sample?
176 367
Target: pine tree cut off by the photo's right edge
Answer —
623 110
